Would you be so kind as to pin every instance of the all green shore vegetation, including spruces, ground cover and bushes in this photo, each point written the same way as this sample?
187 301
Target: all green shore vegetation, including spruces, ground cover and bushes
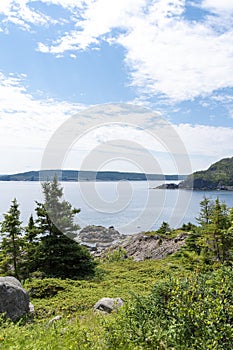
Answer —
184 301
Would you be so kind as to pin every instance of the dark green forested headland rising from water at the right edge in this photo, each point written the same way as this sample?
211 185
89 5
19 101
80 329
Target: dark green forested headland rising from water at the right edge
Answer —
219 176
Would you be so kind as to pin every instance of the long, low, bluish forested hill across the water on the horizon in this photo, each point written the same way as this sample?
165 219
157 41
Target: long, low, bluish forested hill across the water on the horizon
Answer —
75 175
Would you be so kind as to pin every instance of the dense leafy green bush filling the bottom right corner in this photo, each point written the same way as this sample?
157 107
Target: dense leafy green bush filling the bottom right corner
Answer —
191 313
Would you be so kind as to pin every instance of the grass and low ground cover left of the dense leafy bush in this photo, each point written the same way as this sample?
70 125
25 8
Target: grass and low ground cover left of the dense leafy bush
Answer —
81 327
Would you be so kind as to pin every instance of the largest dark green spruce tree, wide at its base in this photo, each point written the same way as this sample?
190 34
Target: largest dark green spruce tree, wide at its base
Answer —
57 255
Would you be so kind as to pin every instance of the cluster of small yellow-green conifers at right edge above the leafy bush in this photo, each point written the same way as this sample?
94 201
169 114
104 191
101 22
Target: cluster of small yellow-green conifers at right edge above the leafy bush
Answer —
212 240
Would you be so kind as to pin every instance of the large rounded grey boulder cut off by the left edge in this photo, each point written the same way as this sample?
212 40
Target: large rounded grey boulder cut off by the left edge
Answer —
14 300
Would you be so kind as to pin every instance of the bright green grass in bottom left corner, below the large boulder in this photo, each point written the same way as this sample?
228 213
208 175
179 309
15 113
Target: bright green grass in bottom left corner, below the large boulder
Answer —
62 335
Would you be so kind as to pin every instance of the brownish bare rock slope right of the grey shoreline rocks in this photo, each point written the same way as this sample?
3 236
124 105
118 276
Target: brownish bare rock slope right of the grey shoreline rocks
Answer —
145 246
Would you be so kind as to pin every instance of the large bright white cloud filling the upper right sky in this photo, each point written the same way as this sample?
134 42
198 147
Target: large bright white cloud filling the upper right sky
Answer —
165 53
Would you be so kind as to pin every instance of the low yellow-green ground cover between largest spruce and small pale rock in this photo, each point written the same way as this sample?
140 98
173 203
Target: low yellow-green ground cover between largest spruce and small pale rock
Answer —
117 279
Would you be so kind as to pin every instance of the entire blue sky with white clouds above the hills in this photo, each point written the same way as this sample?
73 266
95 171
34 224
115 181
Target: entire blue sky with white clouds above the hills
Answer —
61 58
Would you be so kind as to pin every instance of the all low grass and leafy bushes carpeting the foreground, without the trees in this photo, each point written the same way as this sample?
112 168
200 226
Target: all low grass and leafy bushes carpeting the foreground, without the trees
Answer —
167 306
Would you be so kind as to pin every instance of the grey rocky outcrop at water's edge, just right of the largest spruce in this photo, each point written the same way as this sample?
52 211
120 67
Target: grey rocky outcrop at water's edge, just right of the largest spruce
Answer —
97 238
